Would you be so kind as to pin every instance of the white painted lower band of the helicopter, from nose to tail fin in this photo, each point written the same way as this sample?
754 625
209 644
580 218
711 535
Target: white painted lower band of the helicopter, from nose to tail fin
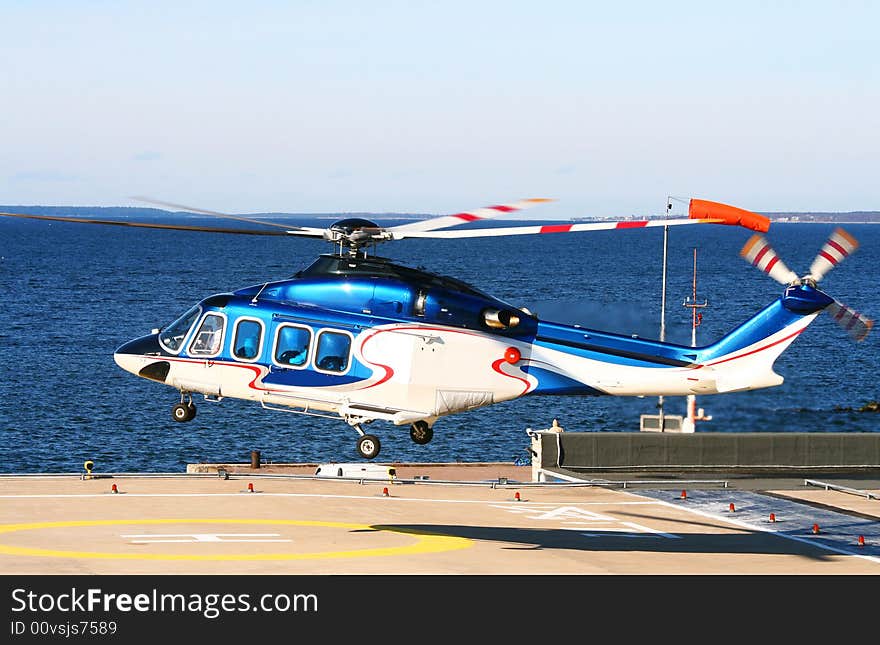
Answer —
429 371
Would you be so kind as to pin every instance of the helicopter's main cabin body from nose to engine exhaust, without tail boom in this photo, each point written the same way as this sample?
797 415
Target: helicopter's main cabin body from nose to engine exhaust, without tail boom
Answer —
351 336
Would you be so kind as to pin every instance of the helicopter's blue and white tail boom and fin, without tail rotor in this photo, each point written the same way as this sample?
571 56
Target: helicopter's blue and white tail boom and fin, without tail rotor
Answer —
601 363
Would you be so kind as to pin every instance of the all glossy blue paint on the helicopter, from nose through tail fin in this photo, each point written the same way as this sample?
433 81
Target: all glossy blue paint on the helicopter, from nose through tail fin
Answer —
344 297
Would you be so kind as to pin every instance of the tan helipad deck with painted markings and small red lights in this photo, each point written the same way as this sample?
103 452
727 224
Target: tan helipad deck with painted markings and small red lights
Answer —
495 521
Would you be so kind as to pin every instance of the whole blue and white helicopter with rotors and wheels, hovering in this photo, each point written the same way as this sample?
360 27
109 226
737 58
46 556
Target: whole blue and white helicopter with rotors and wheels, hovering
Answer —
359 338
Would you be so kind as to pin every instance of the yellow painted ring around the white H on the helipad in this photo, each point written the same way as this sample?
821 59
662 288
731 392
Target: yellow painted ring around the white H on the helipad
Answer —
425 542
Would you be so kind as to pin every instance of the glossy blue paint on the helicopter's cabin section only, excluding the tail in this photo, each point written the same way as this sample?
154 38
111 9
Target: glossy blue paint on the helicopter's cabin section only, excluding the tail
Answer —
343 295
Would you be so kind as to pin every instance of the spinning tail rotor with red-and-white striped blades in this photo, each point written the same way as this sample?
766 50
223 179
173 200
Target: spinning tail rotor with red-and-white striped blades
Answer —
840 245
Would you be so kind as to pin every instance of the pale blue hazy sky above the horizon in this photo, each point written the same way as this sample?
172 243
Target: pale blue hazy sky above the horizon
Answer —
438 107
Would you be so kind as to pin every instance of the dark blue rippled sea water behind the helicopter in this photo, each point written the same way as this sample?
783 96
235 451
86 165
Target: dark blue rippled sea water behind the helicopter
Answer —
72 293
